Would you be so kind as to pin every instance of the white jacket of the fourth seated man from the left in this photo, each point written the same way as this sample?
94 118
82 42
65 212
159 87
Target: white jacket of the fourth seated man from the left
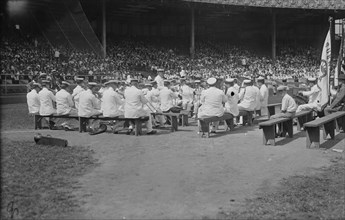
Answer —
89 105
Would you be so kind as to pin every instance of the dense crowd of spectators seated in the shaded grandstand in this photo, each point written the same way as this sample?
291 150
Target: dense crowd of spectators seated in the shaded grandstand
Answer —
28 58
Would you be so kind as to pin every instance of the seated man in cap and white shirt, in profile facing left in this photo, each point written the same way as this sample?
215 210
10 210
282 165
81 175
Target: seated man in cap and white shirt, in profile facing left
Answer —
289 106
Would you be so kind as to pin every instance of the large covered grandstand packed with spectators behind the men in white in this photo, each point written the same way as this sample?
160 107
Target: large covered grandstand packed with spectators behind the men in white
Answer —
198 35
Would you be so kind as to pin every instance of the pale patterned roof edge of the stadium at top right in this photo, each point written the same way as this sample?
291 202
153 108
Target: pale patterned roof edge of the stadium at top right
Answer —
301 4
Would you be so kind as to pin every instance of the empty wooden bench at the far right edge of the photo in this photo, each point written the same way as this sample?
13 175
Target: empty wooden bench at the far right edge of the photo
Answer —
329 123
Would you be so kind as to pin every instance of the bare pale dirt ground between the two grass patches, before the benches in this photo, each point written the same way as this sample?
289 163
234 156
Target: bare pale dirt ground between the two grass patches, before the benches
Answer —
181 176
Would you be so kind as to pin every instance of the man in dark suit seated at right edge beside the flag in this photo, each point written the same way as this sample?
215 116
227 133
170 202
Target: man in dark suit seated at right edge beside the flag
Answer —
338 103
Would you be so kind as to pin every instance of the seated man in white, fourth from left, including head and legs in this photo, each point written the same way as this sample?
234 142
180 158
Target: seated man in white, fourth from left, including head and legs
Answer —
90 105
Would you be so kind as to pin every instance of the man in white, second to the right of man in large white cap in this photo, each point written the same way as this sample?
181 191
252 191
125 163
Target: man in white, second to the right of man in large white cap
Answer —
247 97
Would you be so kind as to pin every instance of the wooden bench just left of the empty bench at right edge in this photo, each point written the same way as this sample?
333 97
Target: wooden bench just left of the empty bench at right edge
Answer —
269 127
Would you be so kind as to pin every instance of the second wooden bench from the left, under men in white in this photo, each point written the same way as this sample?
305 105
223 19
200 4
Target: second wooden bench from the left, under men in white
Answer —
83 122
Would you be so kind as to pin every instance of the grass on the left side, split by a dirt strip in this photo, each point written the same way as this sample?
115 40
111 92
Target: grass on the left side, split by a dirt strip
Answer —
38 180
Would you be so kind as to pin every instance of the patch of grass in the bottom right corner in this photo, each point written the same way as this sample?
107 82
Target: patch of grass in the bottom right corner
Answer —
320 196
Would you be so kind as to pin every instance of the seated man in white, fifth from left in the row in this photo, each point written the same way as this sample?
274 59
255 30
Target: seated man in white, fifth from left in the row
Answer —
111 103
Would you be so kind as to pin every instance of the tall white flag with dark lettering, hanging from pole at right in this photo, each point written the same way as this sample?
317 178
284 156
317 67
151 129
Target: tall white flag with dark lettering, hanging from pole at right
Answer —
323 78
